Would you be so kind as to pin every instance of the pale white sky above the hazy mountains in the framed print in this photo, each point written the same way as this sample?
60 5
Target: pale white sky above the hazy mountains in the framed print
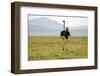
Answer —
70 21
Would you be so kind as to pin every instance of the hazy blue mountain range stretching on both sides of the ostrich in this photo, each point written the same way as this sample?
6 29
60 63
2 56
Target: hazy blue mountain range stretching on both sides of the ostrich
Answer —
45 26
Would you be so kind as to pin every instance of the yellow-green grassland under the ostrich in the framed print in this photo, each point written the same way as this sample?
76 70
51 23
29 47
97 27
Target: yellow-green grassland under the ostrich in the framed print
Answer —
52 47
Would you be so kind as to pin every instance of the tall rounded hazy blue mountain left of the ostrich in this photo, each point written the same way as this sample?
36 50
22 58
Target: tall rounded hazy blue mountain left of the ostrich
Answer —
44 26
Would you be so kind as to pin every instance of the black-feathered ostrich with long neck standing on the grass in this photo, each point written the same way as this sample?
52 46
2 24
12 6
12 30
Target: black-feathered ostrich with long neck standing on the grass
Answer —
64 34
